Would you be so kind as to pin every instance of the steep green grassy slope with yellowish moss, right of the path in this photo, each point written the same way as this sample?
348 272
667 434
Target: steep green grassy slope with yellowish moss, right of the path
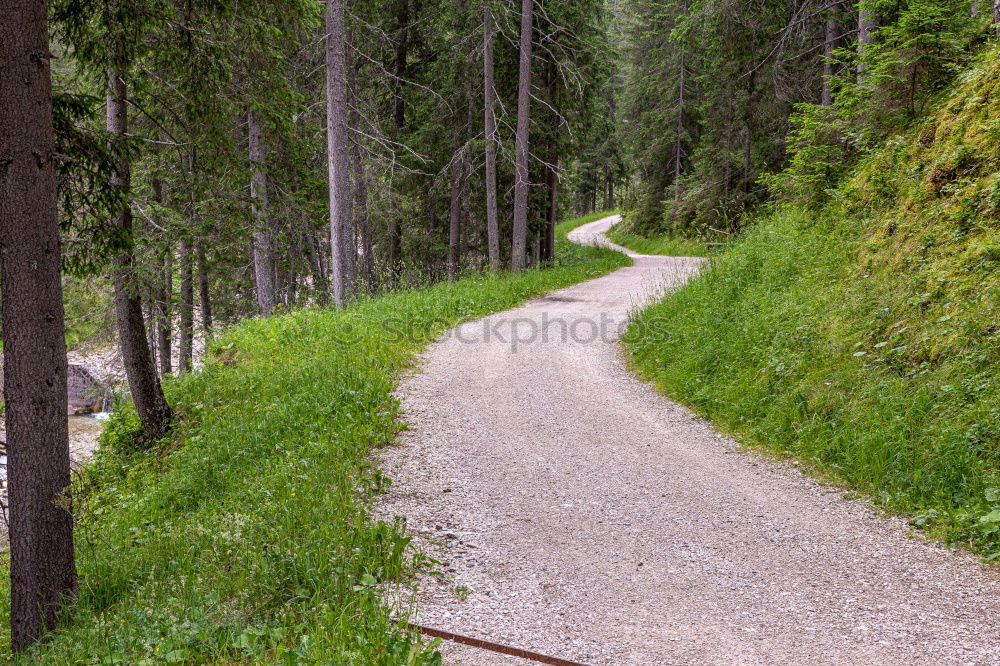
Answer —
865 338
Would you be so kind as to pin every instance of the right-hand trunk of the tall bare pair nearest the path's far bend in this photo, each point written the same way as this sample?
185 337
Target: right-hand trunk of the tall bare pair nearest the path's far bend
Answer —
521 144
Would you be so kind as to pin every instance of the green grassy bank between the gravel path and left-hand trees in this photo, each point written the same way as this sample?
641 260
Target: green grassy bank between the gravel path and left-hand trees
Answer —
247 537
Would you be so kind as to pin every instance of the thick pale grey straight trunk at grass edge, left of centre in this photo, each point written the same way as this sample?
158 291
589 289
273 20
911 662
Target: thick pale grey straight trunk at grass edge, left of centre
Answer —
337 149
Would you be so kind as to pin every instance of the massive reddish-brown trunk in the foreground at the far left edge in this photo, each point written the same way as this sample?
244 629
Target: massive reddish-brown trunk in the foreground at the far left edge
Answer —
42 568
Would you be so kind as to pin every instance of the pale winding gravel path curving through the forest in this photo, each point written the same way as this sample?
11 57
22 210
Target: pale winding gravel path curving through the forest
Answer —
578 513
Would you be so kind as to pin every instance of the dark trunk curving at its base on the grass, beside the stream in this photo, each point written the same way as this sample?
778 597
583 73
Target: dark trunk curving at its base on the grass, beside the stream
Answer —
144 385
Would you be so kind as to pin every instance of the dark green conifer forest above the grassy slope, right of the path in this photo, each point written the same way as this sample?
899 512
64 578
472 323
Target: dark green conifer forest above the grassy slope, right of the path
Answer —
745 103
